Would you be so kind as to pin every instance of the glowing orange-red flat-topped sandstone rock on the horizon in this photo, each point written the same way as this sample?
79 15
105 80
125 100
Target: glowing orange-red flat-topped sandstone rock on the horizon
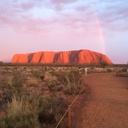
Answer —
66 57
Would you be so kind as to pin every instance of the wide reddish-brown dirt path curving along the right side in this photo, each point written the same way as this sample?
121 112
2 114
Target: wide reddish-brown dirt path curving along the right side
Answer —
108 107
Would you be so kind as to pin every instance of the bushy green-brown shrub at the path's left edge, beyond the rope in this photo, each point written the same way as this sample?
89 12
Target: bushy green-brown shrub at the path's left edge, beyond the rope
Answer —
72 81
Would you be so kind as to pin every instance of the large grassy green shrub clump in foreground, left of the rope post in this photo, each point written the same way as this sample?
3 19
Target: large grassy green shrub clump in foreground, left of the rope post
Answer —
32 111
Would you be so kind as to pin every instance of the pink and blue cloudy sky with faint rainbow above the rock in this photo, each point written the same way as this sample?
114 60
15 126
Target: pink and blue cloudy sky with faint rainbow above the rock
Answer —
28 26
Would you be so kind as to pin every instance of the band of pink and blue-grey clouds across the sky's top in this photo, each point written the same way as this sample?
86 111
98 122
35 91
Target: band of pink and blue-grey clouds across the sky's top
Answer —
22 16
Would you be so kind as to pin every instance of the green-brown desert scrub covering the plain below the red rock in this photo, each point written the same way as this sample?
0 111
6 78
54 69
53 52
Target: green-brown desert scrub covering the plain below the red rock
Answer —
36 96
